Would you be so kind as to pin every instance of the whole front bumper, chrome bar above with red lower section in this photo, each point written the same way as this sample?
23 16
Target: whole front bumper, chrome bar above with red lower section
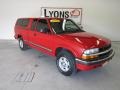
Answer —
87 65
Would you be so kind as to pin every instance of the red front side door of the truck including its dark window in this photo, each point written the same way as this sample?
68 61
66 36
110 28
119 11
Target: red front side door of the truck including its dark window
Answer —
43 39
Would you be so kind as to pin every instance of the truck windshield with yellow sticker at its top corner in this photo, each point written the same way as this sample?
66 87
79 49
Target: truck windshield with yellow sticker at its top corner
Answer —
60 26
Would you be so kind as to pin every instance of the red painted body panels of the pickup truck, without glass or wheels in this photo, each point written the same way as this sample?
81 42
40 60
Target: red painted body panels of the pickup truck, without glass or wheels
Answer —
76 43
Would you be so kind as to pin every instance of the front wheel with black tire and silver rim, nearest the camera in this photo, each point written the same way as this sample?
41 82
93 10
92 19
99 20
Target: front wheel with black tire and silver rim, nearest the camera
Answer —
66 63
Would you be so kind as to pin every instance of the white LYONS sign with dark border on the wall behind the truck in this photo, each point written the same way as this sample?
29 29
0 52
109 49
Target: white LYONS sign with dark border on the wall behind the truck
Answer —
72 13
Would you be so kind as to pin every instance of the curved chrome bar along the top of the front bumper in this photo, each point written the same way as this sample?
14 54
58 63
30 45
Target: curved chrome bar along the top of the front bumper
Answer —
97 61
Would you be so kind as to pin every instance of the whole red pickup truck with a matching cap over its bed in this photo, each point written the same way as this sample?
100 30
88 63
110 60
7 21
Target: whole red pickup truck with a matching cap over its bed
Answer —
74 48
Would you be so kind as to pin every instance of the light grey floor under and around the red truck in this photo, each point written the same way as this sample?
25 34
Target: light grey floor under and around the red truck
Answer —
33 70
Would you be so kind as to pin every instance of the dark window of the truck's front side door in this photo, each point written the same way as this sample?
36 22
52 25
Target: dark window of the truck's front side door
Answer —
42 25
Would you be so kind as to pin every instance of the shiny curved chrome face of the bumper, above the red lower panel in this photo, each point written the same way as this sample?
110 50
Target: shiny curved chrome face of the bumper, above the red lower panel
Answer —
79 61
